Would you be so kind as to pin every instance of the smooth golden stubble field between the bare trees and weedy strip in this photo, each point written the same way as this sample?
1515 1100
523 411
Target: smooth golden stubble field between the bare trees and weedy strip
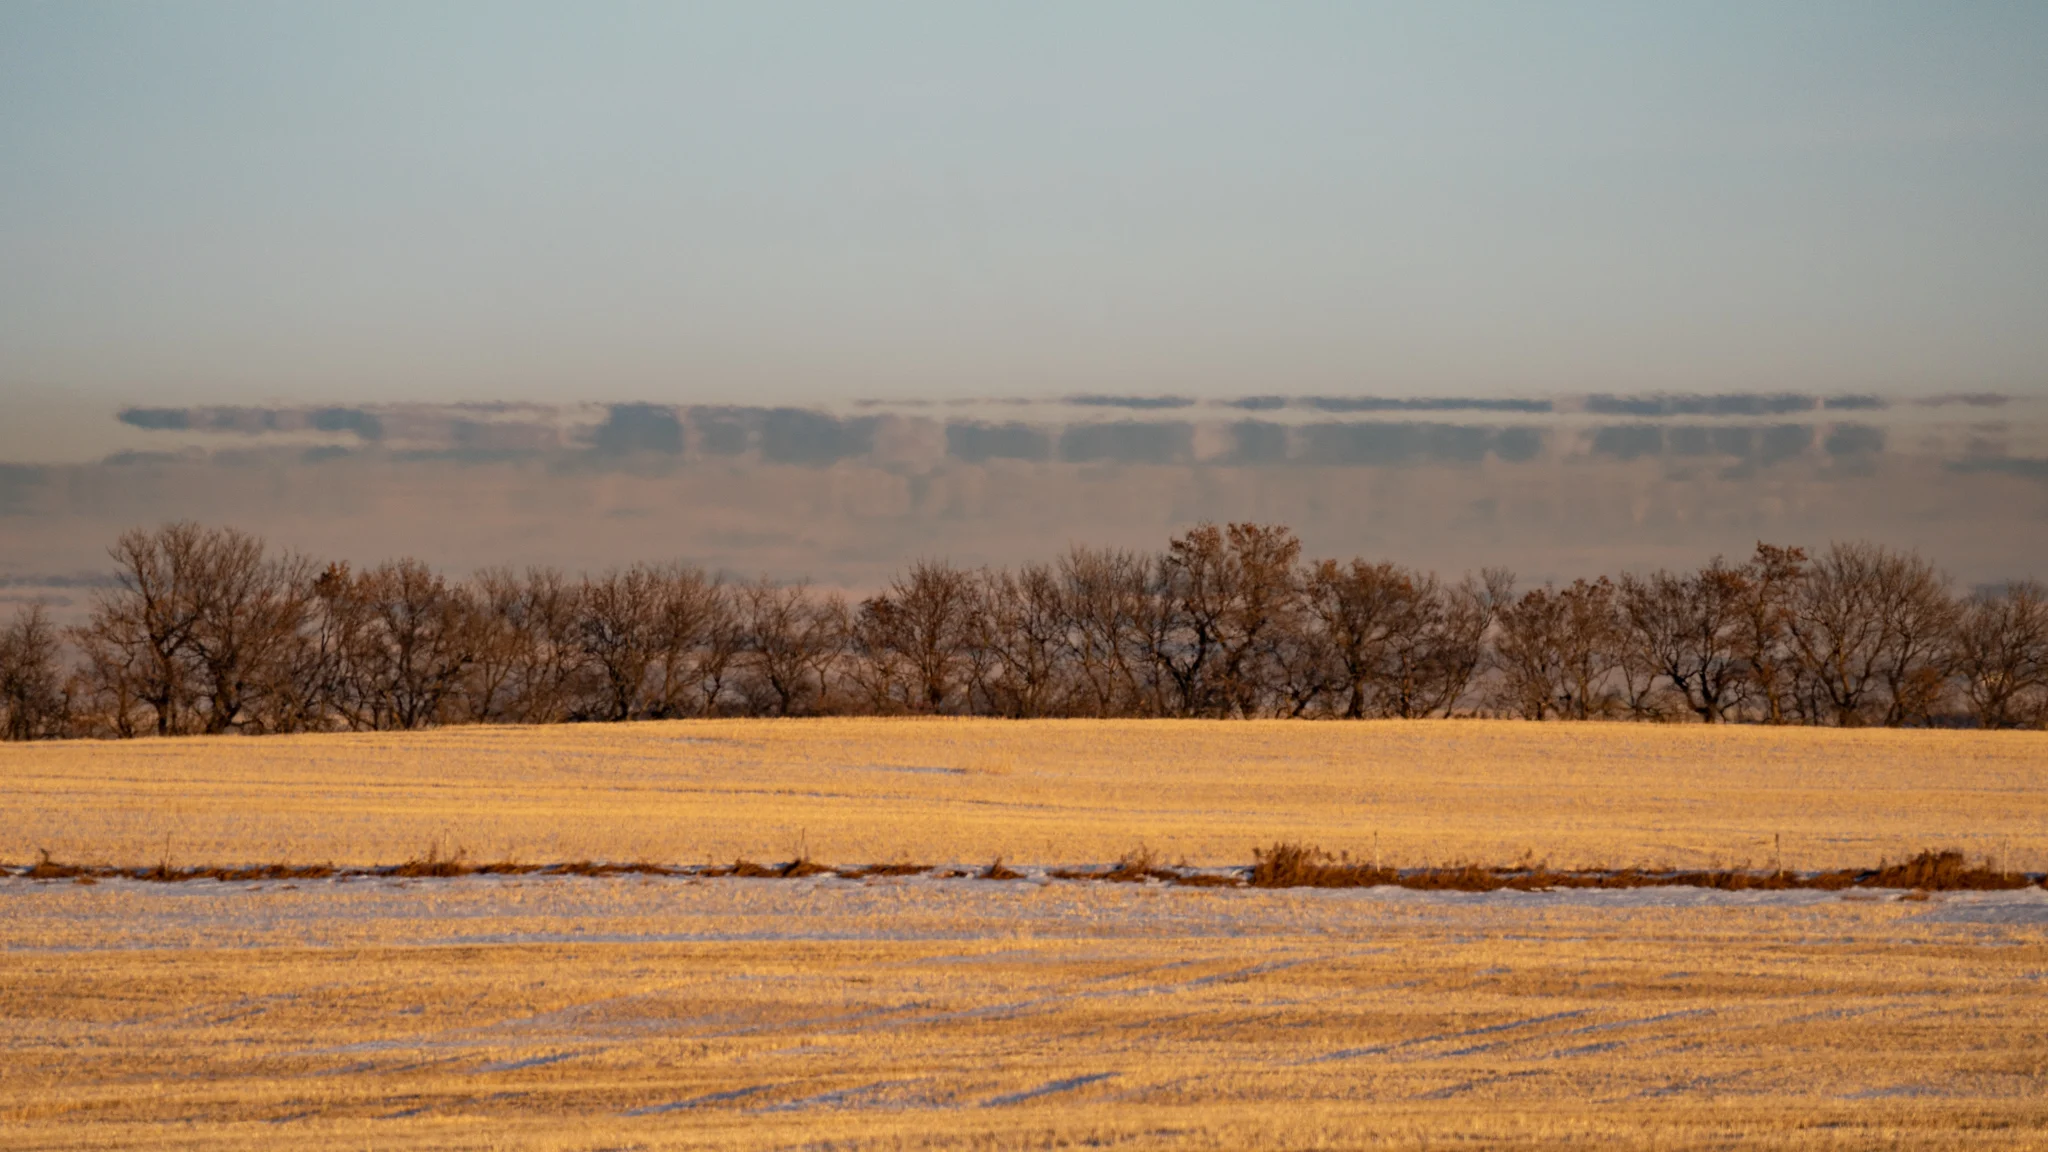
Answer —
1058 792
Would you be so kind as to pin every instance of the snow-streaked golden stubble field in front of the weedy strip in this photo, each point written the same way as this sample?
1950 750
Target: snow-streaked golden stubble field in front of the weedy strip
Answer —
898 1014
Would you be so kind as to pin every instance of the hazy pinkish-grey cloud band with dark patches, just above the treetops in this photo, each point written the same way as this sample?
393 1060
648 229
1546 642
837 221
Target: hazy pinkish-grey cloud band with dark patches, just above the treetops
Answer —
847 499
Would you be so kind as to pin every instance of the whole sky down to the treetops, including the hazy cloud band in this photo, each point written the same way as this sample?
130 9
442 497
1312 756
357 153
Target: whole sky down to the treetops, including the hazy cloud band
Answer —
818 290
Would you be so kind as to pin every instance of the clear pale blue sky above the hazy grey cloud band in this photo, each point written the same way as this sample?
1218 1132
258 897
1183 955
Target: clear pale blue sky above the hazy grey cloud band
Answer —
757 200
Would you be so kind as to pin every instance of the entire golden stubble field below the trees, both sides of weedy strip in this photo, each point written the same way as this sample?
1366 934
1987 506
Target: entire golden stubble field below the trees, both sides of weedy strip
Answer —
914 1014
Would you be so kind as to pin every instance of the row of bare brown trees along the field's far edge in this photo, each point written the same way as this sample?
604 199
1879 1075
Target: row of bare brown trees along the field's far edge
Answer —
210 630
